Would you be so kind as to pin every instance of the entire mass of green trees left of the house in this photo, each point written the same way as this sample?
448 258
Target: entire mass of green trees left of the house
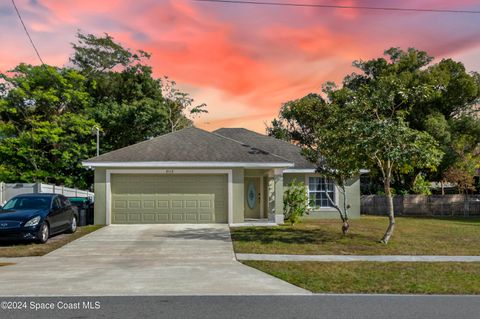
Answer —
48 113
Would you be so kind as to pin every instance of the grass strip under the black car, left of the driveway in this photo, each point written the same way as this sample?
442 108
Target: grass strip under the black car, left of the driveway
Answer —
26 249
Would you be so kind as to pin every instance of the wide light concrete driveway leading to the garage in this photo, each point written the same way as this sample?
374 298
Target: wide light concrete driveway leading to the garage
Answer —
142 260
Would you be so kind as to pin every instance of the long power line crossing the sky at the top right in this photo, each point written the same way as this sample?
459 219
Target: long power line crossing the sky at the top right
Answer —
289 4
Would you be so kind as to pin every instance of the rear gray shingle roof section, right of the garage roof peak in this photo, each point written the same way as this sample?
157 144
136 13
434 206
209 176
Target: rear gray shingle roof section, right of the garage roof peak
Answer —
268 144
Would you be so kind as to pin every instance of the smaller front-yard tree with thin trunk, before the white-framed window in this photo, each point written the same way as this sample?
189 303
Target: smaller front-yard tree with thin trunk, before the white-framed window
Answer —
318 126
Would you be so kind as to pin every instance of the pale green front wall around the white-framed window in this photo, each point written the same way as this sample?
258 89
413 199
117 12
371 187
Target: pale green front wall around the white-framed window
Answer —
353 198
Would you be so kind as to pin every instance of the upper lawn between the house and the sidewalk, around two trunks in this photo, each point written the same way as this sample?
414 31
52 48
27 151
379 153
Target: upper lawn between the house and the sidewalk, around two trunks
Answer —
413 236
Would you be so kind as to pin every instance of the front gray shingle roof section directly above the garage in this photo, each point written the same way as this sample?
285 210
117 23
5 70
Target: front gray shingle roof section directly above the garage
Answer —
191 145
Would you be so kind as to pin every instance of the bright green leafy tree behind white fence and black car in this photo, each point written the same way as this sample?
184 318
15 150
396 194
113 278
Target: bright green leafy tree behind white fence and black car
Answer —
45 132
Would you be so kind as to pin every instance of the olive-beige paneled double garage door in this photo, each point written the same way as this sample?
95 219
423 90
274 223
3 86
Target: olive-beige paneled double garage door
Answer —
149 198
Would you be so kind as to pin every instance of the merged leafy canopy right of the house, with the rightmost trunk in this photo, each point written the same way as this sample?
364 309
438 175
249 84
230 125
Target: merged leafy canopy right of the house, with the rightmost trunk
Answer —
396 115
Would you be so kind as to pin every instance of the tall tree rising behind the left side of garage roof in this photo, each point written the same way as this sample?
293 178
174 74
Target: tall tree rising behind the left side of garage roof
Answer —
128 102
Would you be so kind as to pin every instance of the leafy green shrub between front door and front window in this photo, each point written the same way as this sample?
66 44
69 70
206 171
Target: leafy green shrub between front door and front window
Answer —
295 202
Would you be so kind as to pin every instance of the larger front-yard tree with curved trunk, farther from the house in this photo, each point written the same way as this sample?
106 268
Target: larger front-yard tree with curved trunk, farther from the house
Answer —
370 112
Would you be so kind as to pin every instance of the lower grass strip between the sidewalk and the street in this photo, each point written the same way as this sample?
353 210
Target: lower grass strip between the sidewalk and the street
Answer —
376 277
